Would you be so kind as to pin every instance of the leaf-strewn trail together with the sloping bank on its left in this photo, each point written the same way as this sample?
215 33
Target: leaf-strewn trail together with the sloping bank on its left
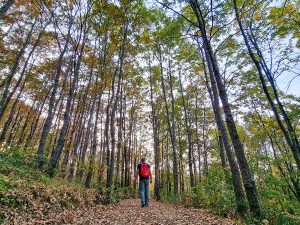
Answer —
29 197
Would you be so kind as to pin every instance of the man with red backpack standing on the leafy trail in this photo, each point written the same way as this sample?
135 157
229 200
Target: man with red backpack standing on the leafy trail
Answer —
143 171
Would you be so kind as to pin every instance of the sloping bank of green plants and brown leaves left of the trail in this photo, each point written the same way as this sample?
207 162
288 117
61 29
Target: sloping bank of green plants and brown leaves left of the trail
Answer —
27 192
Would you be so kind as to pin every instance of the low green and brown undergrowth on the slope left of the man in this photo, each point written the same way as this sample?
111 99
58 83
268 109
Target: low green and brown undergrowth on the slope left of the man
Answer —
21 182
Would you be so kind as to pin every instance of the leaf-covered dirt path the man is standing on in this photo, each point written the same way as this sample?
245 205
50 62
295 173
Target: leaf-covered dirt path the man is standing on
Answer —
129 212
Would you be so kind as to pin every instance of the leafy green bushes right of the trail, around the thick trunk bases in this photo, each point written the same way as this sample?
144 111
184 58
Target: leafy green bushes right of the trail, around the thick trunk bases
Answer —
214 193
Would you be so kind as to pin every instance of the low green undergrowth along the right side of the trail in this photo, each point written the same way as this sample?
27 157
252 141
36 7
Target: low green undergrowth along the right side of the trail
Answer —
219 198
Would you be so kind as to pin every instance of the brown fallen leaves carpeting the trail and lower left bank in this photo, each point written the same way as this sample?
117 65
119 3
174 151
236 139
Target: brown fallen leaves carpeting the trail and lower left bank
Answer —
43 206
